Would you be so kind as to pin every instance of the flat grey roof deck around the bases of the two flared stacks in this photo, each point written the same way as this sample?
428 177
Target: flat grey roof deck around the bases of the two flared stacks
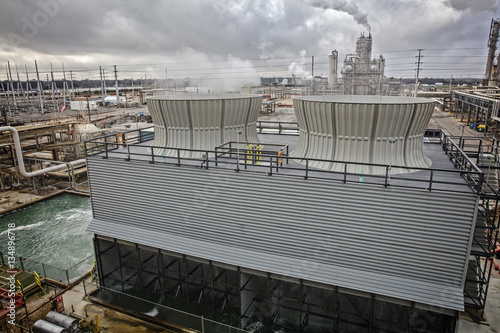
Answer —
443 174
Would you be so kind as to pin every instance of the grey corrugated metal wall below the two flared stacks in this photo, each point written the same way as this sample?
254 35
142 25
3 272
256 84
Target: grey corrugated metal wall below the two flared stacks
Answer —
409 244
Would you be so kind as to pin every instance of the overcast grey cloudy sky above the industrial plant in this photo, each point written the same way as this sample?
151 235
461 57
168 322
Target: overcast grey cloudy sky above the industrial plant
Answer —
243 39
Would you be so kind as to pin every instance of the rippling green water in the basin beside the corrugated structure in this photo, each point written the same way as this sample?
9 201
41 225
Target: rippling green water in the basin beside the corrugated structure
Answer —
51 231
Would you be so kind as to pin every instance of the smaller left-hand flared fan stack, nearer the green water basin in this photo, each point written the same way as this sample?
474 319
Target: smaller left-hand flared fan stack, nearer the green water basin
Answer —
203 121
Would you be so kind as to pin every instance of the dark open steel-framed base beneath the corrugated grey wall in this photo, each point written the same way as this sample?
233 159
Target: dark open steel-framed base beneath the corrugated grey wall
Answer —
220 292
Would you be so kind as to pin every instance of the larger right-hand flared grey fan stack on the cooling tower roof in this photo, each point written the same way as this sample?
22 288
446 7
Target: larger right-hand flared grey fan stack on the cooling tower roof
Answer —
359 128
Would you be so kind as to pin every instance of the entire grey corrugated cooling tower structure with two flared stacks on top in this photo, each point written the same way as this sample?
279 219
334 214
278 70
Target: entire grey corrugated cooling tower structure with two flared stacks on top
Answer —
355 224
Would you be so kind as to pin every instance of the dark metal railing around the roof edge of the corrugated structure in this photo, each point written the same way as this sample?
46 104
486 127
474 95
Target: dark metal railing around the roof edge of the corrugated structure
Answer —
237 155
